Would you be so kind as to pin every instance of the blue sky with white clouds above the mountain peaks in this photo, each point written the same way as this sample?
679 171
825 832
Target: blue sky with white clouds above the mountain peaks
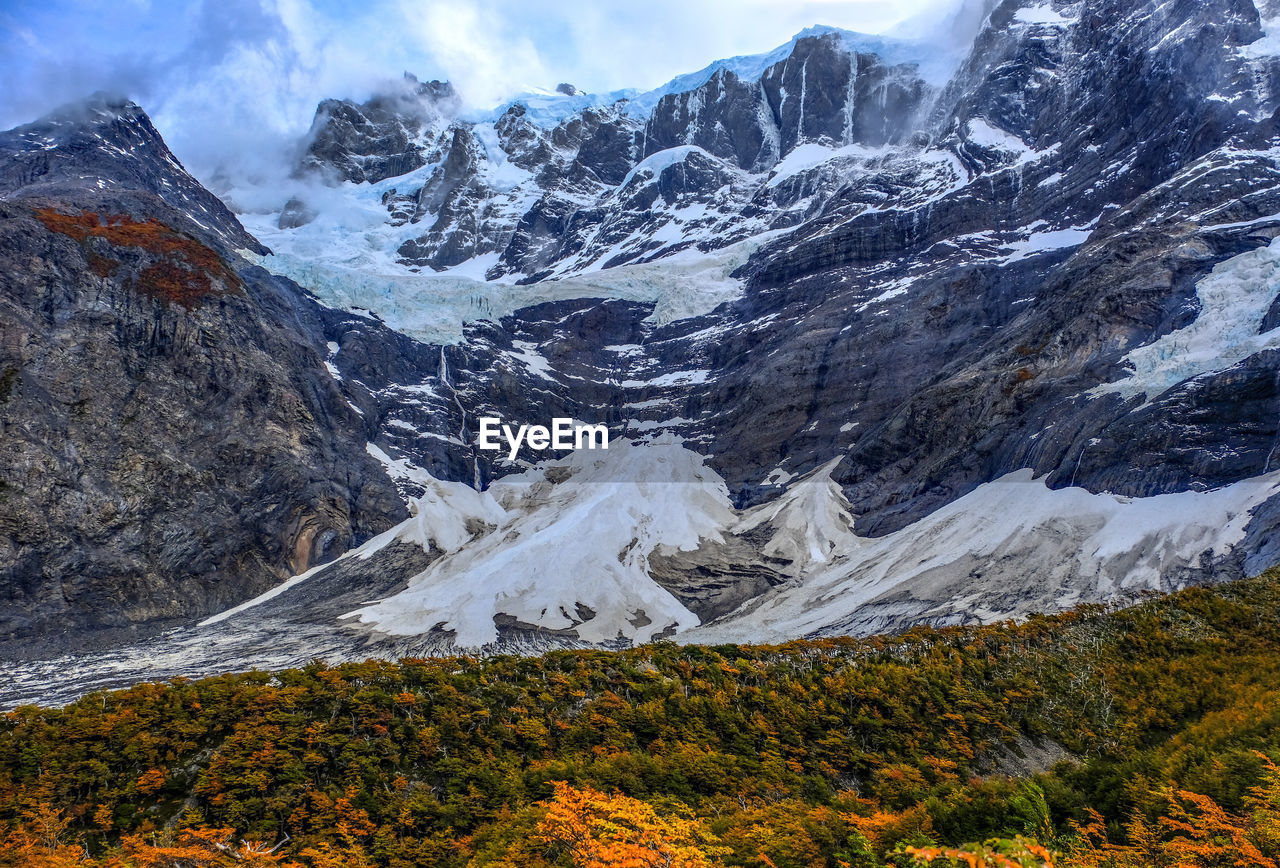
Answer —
240 77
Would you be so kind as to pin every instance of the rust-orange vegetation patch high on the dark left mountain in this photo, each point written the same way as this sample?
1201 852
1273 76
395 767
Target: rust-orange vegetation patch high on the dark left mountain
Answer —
186 269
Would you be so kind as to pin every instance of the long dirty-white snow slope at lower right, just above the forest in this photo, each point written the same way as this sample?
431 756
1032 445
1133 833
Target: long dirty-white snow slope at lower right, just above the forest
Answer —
1011 547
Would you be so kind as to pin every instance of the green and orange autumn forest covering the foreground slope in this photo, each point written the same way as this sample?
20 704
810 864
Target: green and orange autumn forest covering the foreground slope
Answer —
1136 737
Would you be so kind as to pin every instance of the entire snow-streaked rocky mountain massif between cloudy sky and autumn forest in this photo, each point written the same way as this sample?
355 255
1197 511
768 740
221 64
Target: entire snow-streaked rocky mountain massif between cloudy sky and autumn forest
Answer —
881 337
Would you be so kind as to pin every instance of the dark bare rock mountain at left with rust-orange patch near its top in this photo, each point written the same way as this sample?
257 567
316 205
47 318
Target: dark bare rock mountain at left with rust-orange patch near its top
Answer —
172 441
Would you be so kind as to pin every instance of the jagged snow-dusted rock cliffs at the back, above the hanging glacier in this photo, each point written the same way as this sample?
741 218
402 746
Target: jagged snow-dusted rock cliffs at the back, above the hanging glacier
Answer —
606 186
